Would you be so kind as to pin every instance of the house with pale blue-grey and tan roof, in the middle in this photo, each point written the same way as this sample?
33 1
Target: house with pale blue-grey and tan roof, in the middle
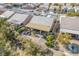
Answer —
41 23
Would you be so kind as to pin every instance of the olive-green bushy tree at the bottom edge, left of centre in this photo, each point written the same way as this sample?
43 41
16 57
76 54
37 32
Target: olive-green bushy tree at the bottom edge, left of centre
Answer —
33 49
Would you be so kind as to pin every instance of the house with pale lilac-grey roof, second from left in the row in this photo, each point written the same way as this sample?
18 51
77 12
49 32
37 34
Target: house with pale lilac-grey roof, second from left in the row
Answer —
20 19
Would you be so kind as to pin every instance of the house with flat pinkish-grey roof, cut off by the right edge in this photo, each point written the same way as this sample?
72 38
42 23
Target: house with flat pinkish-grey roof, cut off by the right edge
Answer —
70 25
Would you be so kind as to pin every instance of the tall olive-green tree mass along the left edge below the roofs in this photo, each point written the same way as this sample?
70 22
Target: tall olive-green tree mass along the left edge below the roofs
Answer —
5 35
